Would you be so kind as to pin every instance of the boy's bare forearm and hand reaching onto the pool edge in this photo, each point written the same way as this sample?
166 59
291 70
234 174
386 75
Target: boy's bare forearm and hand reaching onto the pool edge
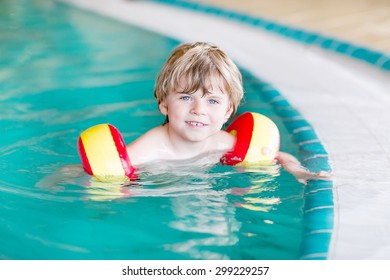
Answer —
292 165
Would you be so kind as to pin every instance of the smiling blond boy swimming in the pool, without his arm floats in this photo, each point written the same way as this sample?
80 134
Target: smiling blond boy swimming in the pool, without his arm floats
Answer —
198 89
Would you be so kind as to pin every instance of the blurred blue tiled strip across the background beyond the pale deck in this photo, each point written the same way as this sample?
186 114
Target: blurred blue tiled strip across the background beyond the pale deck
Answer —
376 58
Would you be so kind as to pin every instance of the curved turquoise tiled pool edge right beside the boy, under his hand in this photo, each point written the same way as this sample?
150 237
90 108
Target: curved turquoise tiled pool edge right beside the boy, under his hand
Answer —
318 216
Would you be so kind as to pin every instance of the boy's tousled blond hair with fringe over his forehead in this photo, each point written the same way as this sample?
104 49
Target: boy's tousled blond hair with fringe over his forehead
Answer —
196 63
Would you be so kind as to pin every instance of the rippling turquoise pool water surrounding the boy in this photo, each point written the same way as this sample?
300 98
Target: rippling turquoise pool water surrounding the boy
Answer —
63 70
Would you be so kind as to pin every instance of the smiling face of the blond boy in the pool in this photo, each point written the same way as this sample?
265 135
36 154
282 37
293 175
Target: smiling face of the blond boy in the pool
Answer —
197 116
